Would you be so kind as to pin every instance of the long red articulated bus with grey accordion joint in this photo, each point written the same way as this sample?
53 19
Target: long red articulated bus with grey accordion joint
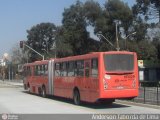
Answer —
98 76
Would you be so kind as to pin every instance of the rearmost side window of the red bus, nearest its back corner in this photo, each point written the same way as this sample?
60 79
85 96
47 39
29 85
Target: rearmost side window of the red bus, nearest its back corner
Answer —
94 71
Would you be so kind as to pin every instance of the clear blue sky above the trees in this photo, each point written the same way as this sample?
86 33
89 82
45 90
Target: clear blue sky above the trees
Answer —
17 16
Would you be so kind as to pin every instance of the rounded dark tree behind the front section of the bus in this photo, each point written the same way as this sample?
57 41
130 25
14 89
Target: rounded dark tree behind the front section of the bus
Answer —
41 38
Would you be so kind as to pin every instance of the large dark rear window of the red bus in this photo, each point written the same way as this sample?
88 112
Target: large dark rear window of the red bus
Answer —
119 62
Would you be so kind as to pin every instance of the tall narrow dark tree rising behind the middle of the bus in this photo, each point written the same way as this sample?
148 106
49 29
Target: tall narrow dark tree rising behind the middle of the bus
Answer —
74 25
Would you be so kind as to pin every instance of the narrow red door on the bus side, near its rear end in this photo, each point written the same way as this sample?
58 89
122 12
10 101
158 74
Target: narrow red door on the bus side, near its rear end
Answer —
87 80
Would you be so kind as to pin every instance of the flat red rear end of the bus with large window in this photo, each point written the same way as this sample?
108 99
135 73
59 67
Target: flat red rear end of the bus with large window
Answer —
119 75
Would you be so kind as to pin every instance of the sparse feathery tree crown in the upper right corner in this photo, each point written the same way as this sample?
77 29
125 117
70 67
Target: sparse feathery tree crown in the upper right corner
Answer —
149 8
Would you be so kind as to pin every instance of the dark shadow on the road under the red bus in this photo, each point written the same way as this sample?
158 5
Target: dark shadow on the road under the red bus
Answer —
84 104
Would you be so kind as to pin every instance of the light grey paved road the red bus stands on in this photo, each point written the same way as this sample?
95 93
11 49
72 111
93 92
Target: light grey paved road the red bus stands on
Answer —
15 100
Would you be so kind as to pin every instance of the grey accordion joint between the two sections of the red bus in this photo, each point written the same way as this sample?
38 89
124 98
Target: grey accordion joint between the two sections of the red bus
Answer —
50 76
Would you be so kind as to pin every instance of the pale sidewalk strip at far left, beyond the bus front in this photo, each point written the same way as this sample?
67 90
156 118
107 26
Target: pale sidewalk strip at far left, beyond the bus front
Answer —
11 83
